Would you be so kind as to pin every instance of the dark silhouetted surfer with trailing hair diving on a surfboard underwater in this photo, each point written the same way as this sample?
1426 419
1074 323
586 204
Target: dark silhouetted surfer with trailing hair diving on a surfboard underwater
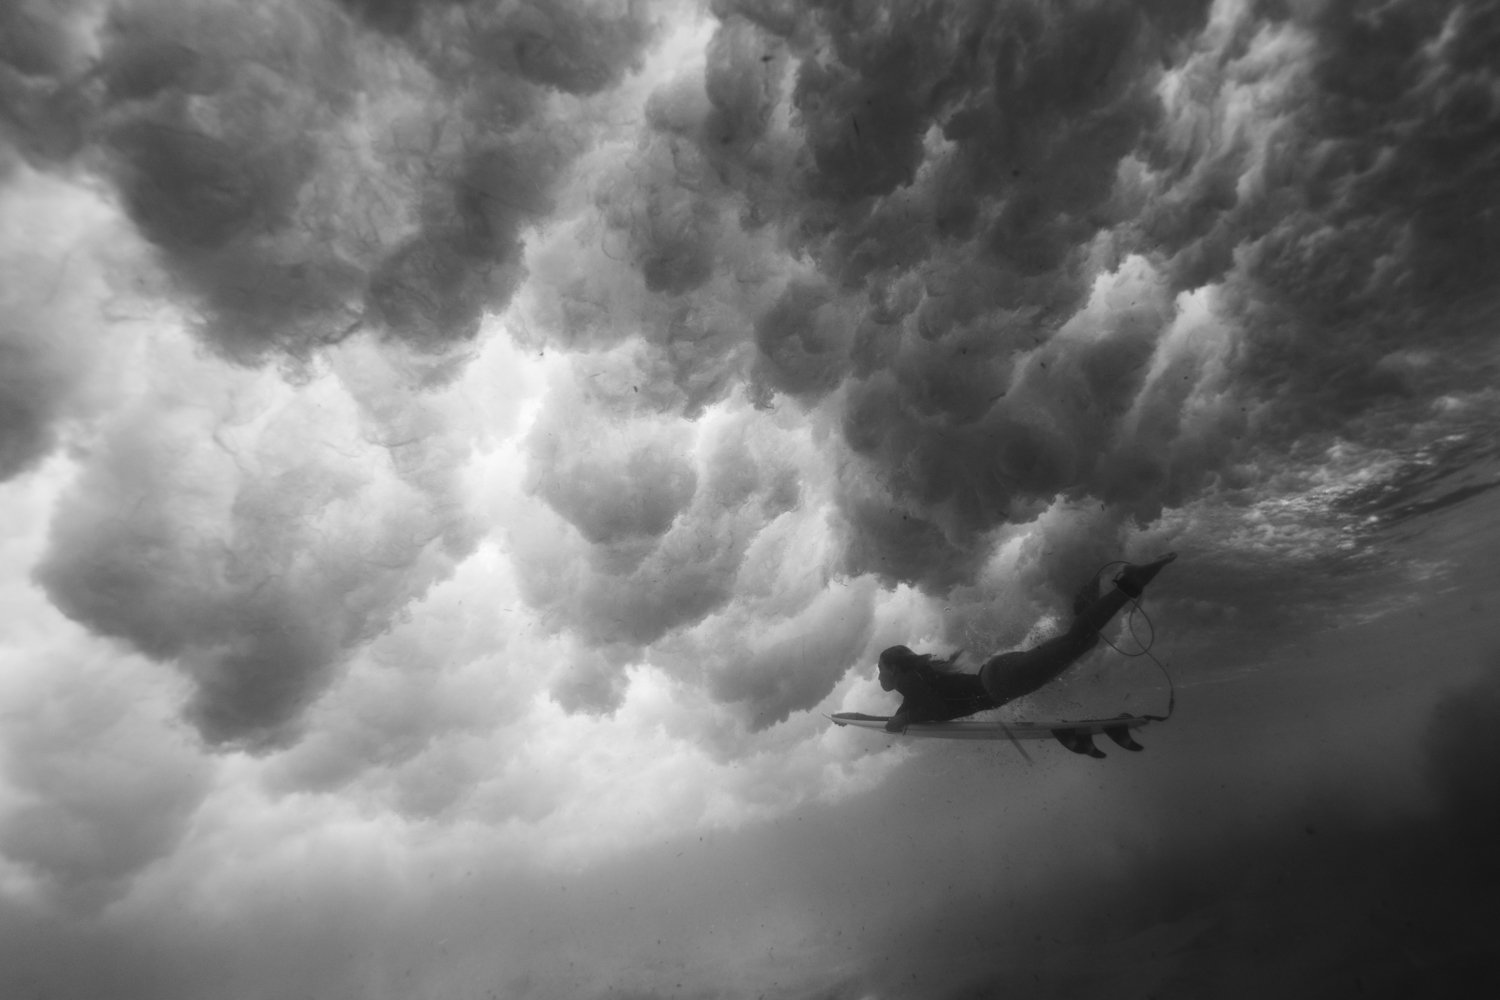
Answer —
932 692
